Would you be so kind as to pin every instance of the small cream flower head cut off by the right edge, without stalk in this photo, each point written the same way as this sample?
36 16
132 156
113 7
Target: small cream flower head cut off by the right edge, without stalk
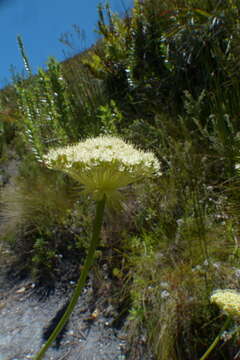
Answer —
228 300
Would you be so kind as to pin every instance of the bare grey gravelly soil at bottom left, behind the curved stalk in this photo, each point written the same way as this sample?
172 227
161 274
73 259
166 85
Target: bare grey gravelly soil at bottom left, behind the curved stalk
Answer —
88 336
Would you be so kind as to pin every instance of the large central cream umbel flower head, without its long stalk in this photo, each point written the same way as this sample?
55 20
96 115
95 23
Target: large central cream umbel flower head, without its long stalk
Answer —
104 165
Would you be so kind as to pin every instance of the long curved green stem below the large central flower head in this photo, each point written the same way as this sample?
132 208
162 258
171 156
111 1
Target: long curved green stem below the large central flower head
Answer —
82 279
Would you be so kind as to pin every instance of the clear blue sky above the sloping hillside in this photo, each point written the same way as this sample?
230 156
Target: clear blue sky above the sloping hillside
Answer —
41 23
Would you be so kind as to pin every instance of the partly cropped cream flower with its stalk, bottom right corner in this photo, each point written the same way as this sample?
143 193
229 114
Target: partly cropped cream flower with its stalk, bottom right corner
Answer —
229 302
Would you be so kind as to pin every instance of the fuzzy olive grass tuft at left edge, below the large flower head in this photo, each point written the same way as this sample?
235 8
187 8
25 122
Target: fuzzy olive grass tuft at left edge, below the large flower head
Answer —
37 198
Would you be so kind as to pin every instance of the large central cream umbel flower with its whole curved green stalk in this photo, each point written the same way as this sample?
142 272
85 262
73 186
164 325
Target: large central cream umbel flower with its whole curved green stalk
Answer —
103 165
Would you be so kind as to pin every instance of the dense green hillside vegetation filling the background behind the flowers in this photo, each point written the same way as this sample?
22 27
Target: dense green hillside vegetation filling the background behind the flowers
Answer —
165 77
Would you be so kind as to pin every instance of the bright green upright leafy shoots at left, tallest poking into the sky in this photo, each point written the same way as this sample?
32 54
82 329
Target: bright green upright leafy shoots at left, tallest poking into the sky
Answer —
44 107
